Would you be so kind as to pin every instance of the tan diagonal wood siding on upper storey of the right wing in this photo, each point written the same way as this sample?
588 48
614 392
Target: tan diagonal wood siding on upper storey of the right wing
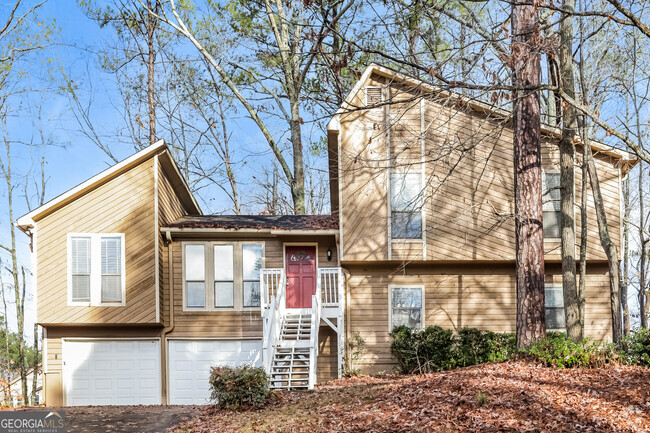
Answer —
468 198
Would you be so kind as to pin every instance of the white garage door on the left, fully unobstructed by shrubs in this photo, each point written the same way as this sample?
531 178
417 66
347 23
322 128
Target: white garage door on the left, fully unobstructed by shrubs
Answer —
111 372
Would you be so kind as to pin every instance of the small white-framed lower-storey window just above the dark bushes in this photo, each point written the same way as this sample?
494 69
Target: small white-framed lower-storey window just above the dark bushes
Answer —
406 306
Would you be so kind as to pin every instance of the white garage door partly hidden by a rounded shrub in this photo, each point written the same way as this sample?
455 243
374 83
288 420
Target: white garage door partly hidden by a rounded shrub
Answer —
190 362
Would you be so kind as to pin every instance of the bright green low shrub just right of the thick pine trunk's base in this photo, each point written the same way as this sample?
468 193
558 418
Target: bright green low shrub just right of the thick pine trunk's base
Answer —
557 350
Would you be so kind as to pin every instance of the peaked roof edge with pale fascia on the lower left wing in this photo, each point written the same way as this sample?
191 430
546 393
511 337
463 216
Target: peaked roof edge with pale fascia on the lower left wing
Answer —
159 148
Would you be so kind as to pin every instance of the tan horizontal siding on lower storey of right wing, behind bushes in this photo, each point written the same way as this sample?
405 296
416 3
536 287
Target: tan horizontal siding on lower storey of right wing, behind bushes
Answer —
456 297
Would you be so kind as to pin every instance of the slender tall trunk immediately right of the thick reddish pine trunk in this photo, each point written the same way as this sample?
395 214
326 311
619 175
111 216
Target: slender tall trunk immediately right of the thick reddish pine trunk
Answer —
567 177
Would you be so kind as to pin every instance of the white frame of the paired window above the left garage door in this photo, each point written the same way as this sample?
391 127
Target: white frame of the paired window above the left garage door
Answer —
96 270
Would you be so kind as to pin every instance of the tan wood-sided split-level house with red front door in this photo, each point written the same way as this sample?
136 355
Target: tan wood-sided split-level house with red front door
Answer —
139 293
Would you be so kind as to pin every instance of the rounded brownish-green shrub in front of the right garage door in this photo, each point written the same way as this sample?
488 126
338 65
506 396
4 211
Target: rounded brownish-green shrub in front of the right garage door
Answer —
235 387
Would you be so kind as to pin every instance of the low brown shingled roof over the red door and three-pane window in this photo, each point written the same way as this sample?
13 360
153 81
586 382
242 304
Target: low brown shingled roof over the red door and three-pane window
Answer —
311 223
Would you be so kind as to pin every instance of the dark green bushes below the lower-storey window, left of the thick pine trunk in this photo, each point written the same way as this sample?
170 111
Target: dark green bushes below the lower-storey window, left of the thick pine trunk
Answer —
437 349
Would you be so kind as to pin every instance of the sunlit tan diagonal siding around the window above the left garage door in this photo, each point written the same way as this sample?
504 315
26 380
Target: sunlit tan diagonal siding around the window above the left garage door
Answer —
124 204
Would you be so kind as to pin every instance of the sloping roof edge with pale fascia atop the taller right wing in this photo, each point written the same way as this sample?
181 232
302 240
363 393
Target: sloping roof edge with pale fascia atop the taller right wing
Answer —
627 159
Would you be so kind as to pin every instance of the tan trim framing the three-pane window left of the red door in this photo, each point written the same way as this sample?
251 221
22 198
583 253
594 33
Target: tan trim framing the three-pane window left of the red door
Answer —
238 277
